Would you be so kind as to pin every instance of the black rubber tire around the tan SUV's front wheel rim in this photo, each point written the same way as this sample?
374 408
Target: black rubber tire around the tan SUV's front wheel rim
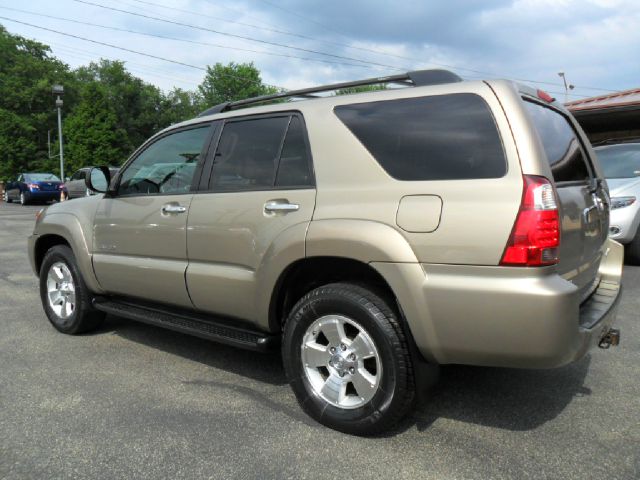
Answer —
84 317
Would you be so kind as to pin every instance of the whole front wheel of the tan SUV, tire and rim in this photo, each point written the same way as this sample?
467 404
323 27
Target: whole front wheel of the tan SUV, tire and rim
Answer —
65 297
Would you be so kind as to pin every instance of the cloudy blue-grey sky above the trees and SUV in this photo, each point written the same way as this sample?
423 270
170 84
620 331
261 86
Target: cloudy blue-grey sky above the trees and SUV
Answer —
596 42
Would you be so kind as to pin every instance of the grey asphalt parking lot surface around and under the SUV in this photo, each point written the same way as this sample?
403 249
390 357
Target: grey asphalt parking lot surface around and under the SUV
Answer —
134 401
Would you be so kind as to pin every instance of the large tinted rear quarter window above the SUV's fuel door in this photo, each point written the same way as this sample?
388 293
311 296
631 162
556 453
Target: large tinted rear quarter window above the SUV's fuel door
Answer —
444 137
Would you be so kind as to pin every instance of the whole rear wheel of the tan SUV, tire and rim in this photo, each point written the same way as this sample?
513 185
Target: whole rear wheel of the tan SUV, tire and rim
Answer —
347 359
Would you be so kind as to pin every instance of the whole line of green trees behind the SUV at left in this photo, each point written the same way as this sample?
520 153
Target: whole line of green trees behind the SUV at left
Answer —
107 111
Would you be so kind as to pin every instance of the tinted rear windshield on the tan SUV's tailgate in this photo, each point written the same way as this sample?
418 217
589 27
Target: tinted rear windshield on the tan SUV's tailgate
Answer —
561 145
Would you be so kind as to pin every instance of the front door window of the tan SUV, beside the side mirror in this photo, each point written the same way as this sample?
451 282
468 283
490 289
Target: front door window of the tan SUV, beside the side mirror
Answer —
167 166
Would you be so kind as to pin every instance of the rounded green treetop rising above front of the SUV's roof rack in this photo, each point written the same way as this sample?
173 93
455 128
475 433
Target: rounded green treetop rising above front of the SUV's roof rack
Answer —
235 81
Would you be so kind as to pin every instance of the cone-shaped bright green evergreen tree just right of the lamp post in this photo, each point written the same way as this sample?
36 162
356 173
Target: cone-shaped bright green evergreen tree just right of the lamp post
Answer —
92 134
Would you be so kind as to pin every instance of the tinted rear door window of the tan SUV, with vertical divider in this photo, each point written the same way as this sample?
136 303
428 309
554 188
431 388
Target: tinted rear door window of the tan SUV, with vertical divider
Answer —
261 154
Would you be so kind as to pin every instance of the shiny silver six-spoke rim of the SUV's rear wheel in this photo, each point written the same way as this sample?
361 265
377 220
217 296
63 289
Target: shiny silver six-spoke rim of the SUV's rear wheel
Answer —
341 361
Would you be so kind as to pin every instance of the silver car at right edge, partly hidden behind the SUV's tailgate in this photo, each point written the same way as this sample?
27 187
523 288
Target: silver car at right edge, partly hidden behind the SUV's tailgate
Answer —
621 166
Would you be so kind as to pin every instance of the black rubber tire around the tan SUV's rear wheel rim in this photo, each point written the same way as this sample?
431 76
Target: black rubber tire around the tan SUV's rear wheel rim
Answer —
396 392
